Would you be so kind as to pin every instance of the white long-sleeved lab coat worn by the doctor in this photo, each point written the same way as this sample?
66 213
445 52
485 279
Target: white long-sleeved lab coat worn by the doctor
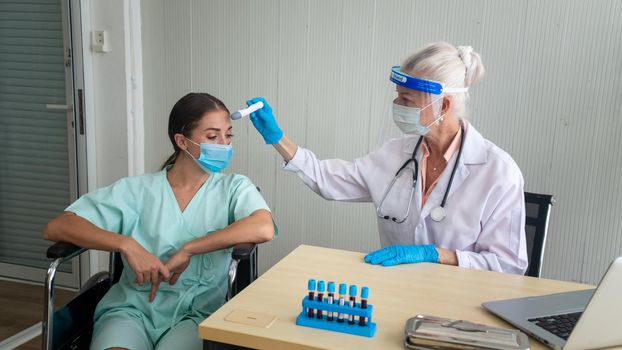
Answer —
485 208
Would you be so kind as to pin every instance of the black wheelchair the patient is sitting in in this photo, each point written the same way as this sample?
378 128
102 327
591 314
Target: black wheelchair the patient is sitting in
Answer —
71 326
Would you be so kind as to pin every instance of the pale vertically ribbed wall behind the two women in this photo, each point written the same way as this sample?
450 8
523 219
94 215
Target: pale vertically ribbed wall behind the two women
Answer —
550 98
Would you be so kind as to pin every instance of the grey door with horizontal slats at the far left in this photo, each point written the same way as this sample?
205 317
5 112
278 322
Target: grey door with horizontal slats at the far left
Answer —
38 157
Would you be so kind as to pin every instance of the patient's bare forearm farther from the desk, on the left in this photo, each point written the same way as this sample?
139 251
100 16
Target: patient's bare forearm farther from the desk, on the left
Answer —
71 228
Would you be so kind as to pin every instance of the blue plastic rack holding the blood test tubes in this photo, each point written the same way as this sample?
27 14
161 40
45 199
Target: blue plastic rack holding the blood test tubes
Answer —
306 320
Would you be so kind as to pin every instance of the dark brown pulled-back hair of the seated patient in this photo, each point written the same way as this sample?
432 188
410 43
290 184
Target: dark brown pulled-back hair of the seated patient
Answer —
185 115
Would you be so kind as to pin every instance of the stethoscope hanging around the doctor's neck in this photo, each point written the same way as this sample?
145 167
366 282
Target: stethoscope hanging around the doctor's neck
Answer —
437 214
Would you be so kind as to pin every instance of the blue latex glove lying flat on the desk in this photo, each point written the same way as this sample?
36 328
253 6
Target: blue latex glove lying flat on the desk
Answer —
403 254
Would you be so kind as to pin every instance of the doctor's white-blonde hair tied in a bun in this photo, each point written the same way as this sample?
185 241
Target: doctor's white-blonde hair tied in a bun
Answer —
454 67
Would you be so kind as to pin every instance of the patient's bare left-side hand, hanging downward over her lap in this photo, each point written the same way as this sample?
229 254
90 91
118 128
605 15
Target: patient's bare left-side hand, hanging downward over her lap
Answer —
146 266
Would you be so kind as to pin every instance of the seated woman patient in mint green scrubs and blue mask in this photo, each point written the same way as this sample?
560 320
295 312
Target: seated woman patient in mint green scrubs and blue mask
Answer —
175 227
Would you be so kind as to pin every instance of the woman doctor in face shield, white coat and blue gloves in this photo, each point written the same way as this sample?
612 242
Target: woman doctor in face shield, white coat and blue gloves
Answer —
442 192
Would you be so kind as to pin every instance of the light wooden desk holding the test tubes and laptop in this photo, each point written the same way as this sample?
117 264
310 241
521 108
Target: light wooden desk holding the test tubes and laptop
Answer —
397 293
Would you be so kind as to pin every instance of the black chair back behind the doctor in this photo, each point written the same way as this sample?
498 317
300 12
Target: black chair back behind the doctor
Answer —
537 211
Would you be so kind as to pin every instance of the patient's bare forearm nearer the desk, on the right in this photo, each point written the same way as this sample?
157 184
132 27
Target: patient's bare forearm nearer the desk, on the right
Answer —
256 228
